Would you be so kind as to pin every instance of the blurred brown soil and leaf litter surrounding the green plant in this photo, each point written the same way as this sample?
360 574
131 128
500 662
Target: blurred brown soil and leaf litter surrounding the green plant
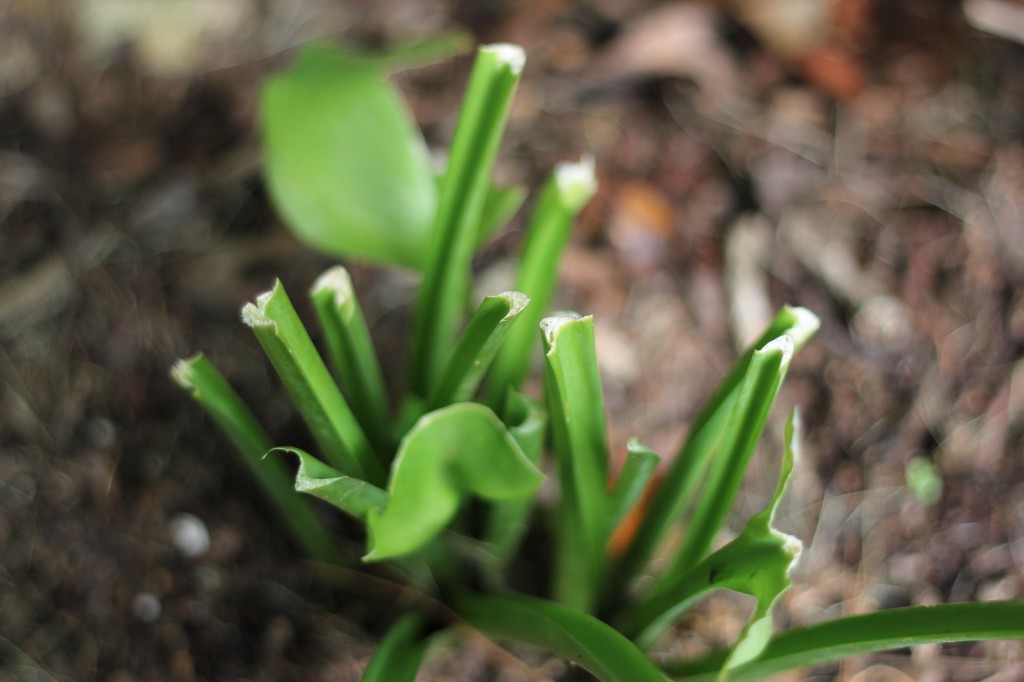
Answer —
864 159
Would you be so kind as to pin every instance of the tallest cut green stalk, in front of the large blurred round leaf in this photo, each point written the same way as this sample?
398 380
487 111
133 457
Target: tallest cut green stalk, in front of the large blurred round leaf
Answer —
475 148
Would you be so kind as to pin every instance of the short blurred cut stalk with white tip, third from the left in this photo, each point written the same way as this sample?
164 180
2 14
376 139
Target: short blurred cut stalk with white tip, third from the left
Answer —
353 356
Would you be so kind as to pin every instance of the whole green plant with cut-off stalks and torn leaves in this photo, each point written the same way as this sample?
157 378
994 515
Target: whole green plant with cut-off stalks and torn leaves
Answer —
445 477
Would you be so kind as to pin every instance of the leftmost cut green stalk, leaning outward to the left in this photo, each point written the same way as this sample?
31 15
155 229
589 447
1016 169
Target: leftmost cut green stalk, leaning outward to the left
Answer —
199 376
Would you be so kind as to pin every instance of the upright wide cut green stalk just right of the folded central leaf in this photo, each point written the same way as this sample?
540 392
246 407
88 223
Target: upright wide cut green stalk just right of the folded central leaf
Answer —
576 408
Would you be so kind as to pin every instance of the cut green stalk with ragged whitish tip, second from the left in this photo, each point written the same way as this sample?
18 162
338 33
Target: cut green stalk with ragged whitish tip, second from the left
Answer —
309 382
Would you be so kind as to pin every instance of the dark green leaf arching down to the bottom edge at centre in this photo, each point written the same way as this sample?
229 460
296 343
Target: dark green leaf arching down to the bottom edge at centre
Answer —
576 636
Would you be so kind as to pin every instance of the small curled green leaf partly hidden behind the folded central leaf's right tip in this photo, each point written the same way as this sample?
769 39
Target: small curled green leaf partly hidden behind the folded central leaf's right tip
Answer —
507 522
